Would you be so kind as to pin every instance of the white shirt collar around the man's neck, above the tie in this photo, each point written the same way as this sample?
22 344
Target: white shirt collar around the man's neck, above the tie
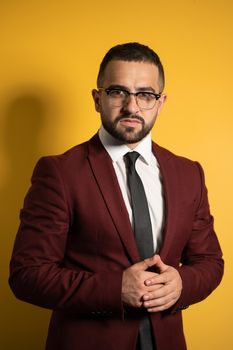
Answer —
117 150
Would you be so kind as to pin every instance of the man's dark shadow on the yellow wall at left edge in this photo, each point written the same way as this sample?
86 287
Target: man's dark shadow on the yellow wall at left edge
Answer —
26 115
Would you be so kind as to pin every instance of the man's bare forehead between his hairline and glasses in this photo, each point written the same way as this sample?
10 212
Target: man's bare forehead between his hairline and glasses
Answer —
131 74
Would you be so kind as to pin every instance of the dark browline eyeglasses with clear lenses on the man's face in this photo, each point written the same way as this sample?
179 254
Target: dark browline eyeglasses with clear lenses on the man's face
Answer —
119 97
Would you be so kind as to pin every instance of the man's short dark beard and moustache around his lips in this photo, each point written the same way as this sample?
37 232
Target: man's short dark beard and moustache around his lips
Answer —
128 136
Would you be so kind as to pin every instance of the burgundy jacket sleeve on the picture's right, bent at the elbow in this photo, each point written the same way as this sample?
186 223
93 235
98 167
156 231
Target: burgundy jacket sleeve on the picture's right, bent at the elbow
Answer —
201 267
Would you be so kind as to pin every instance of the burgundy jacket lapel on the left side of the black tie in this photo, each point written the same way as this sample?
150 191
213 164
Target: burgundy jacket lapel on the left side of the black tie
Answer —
101 165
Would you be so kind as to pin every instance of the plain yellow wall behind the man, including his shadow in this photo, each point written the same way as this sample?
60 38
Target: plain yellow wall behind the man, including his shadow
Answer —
49 57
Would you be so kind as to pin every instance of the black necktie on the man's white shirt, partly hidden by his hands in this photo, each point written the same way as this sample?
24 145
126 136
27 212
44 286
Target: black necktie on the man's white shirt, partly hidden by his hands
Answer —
143 235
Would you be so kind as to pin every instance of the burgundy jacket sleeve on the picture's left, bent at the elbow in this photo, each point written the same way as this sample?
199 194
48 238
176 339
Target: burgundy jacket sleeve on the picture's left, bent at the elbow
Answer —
37 271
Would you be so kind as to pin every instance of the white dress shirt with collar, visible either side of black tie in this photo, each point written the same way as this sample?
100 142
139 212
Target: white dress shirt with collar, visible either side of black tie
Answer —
148 170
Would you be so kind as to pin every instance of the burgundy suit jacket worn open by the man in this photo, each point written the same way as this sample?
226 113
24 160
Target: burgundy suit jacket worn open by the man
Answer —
75 239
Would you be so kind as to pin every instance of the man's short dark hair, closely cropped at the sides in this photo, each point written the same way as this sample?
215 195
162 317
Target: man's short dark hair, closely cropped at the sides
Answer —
132 52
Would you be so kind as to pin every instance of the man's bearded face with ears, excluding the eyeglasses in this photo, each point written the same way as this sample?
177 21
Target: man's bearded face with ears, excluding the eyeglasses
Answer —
128 123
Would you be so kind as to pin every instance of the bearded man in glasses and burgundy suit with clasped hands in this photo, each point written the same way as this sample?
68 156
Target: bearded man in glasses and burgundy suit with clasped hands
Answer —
81 249
